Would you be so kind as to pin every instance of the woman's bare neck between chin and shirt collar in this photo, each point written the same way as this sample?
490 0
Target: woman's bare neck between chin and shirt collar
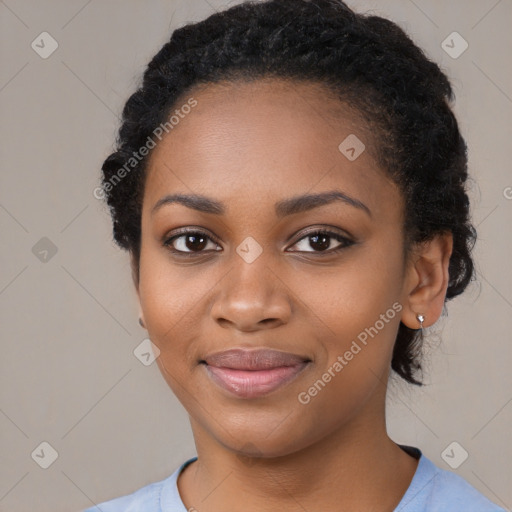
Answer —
357 467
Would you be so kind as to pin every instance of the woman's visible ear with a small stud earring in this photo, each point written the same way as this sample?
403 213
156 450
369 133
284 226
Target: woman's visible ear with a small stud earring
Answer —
427 281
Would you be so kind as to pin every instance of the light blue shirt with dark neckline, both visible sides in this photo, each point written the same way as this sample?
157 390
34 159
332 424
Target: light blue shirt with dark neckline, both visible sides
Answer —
431 490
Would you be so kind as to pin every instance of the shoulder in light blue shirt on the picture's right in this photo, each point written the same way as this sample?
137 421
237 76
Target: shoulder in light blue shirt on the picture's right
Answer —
436 490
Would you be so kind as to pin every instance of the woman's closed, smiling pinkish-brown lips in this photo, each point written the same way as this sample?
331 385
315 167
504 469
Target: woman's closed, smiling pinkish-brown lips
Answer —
253 373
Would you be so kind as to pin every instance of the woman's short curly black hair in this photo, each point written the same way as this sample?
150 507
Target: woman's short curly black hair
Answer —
369 63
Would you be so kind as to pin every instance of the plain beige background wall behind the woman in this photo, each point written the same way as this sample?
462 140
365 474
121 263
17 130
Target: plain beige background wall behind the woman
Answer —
69 324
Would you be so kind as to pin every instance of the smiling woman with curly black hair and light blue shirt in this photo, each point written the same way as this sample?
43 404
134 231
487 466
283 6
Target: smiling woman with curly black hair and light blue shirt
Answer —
289 182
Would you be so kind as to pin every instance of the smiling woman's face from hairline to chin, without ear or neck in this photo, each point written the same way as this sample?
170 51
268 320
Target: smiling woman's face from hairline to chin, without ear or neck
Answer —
253 276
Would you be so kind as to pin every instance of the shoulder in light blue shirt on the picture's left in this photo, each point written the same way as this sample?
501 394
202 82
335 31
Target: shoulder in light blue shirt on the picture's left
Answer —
155 497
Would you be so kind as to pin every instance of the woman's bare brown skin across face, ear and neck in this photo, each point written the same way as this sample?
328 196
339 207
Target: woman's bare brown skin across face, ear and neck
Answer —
250 145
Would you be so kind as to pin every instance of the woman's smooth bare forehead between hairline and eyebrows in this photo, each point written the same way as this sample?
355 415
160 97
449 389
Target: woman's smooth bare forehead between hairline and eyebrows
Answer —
259 140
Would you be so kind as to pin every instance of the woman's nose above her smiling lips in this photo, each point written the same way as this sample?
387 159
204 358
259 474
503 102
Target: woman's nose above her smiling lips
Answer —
252 297
